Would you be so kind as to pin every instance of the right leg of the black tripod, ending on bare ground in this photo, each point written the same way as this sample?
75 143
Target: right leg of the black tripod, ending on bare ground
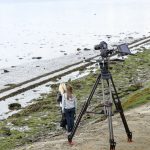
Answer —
119 107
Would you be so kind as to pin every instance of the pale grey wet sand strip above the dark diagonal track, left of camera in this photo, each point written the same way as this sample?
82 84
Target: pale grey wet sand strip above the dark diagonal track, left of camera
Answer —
31 70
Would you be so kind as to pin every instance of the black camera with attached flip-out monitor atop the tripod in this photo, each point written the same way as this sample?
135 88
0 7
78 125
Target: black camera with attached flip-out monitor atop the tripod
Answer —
122 49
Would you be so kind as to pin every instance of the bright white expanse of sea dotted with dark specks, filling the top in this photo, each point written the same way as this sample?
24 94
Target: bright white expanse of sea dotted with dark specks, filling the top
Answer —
50 29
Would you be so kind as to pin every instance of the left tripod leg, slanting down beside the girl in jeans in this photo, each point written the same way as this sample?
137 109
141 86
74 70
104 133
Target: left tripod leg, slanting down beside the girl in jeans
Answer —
84 108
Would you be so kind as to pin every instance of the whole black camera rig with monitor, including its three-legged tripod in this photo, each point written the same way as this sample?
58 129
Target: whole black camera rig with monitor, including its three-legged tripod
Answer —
105 75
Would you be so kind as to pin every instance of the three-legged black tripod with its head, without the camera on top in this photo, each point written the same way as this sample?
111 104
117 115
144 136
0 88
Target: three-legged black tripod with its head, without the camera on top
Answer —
105 75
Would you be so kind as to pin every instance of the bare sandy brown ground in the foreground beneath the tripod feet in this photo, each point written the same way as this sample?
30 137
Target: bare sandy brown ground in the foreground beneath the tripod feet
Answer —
94 136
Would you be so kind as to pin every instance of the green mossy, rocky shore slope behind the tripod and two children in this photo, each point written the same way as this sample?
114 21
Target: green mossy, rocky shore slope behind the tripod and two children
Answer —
40 120
